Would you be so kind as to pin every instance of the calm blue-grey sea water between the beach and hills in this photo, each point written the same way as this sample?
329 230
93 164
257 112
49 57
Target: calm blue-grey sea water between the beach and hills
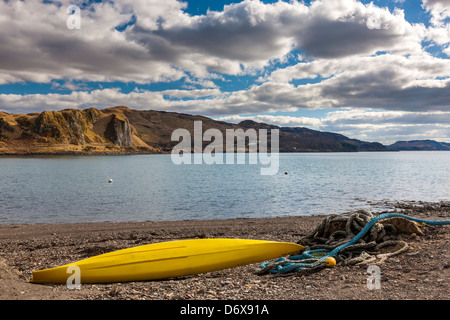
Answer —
150 187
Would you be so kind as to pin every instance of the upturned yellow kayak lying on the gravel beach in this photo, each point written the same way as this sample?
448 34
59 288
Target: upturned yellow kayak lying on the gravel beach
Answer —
168 259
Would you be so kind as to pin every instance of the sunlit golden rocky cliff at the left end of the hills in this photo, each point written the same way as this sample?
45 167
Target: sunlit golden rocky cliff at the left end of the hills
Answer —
69 131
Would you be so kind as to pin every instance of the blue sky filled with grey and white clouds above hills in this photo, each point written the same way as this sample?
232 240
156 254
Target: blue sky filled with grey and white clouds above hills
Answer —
372 70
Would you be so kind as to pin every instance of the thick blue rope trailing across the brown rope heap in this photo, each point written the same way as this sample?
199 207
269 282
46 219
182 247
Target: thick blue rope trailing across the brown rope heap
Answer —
322 254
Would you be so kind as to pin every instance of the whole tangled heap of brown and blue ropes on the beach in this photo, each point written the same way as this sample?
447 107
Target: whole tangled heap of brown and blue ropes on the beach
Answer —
322 243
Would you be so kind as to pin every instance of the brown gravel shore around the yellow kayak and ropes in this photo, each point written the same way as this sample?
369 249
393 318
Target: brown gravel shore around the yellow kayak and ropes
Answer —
422 273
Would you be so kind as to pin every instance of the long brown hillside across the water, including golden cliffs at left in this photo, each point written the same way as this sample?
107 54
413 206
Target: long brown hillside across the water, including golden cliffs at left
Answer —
122 130
